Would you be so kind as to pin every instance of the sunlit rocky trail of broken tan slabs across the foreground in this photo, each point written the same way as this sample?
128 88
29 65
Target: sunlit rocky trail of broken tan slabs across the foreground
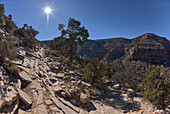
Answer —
44 85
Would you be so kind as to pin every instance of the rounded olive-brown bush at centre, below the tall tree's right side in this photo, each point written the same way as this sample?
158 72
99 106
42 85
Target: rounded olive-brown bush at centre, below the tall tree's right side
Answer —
97 72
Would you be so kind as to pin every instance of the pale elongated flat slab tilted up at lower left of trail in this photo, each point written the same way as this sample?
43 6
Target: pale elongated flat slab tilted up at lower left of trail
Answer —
24 97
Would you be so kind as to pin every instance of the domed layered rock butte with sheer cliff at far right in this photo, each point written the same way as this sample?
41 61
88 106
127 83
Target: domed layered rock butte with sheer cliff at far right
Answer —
149 48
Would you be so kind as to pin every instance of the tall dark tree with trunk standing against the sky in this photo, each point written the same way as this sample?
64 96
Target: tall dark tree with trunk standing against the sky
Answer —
76 34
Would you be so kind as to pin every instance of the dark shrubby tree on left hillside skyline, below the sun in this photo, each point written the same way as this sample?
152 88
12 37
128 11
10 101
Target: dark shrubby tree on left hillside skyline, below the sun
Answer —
27 35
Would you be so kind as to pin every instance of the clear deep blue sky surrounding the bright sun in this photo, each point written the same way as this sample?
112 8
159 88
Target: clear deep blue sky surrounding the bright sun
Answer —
103 18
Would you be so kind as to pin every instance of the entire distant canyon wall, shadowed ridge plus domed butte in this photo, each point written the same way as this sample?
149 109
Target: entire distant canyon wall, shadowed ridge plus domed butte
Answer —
149 48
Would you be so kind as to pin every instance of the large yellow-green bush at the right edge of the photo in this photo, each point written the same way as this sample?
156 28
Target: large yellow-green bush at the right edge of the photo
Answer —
157 86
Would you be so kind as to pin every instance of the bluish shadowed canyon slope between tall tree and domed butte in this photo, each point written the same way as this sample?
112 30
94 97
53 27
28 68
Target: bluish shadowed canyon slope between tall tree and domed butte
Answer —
106 49
